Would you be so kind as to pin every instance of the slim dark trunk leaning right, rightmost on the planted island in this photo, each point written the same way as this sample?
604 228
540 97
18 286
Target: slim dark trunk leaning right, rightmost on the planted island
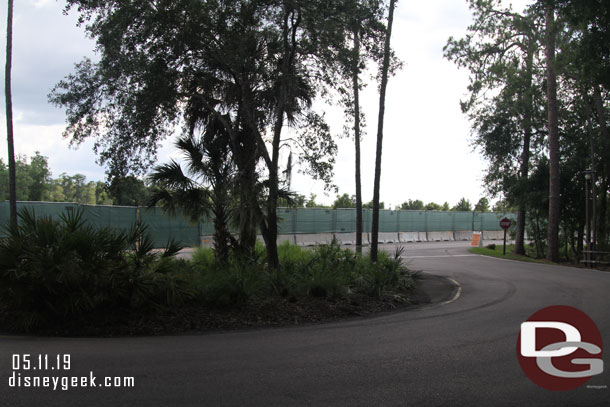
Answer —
382 92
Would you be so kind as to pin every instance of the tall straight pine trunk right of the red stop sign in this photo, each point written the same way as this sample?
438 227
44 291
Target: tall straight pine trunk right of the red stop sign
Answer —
554 207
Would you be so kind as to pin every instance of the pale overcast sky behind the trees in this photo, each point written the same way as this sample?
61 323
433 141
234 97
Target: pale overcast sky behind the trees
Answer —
427 152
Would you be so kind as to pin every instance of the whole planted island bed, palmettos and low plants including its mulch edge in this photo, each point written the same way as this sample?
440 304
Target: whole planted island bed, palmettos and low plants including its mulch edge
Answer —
64 276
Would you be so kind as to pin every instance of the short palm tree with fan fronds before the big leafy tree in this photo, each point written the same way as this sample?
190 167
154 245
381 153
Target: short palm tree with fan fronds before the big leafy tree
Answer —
207 186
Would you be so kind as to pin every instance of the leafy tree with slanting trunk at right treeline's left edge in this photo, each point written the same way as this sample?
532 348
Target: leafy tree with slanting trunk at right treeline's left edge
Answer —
501 51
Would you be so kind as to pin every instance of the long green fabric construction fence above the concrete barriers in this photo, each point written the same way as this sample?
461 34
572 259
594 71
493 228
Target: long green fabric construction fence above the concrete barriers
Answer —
163 226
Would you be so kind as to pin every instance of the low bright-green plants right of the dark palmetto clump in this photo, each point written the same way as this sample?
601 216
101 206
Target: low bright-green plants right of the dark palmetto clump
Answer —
326 271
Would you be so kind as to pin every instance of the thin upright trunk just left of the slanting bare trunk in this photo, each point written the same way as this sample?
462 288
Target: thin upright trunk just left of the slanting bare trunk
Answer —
355 84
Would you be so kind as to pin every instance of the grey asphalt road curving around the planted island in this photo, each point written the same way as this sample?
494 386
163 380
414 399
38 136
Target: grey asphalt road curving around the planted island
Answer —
451 354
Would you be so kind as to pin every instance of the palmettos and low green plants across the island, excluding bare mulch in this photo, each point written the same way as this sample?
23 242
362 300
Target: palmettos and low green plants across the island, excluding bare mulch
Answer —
59 271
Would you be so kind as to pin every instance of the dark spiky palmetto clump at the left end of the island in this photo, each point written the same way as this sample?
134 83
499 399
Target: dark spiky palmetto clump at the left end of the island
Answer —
54 271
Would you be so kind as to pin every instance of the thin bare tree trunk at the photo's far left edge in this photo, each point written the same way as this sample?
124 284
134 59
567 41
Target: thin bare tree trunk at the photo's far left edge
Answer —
9 117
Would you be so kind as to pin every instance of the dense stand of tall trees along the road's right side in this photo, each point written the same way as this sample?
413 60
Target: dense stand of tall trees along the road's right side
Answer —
539 92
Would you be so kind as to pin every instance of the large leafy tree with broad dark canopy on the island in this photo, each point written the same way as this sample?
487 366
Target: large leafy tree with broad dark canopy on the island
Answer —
254 66
